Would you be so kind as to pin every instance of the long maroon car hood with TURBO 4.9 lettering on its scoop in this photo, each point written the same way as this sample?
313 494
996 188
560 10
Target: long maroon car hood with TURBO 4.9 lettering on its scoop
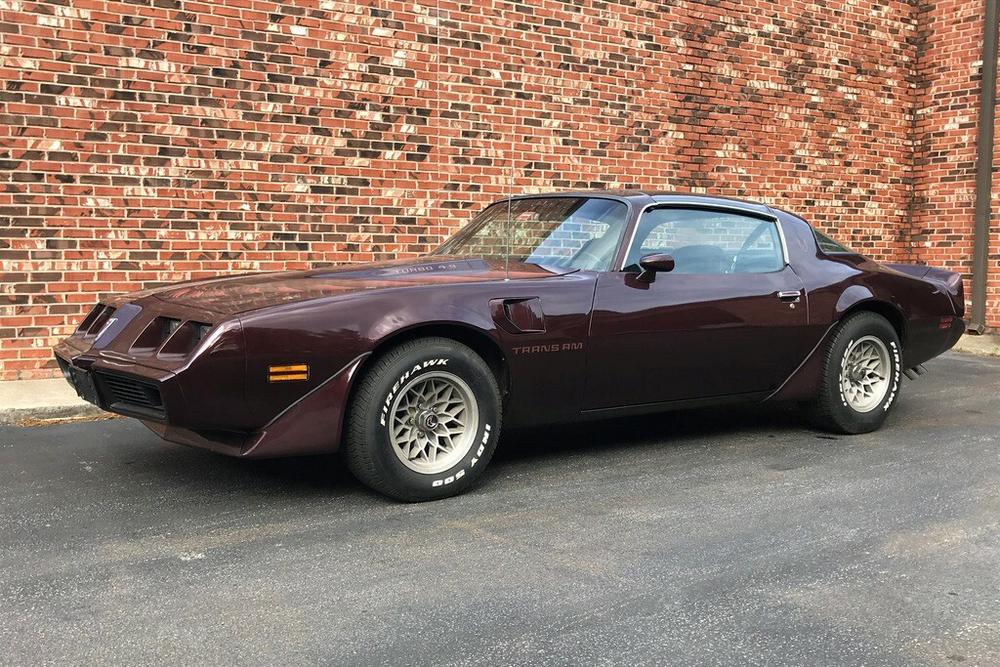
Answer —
242 293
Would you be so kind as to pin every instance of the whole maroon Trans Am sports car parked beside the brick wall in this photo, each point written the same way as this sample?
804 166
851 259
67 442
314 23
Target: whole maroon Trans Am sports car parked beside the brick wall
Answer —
544 309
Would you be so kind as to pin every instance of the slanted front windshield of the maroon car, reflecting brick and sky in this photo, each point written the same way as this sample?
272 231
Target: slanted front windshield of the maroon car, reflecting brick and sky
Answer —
560 232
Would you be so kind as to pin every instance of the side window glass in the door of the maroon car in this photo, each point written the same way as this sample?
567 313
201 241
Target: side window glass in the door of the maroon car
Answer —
708 242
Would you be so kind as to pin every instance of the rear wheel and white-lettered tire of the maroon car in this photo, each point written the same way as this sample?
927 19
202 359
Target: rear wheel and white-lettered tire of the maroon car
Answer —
861 375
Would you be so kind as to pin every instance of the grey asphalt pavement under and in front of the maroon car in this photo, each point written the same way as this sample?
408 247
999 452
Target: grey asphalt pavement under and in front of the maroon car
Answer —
710 537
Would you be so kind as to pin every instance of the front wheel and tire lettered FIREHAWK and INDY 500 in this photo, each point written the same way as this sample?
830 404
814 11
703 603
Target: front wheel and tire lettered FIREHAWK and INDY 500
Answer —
423 421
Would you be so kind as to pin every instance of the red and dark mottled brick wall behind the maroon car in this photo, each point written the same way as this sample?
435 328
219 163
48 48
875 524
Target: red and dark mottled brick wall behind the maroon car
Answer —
141 144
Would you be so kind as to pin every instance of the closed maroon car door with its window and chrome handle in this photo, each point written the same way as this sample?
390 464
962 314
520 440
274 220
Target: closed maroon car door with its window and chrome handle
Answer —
729 319
